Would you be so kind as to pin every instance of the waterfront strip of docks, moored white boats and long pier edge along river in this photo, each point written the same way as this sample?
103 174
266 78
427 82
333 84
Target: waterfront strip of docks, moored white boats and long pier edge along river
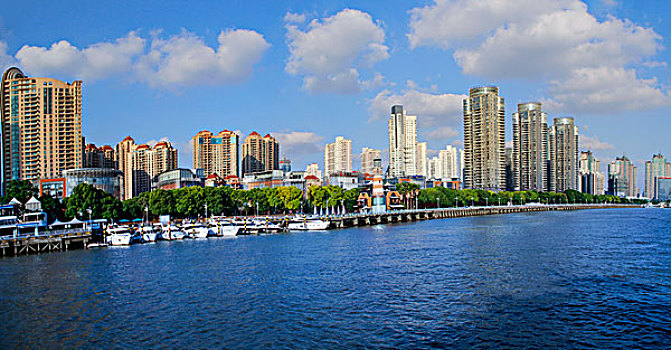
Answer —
94 233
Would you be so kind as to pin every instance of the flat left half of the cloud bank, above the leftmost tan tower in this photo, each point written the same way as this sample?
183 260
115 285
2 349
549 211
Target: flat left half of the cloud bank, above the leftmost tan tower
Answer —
96 61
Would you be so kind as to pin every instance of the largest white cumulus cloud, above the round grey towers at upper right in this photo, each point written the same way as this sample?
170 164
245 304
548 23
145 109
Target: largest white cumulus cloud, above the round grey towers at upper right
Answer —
555 41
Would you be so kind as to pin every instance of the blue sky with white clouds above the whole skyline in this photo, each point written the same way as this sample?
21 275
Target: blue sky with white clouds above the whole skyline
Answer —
308 71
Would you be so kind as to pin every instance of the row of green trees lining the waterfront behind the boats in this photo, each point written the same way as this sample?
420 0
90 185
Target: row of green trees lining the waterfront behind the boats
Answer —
196 202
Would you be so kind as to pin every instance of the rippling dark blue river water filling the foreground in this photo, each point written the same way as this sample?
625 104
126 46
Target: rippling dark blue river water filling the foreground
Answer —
598 279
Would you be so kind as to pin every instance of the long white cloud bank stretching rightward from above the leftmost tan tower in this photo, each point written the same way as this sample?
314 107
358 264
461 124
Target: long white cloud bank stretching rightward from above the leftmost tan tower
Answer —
179 60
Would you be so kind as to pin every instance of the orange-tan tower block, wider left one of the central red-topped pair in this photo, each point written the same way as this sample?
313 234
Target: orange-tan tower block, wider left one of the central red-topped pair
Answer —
216 154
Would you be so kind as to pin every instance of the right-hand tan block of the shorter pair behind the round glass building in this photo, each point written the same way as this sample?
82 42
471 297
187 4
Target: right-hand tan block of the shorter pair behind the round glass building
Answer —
149 162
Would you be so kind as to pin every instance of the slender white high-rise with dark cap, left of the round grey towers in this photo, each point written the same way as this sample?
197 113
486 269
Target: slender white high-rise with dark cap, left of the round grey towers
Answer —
402 143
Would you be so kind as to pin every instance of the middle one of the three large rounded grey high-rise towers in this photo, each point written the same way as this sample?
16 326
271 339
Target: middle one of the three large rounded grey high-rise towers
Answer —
530 147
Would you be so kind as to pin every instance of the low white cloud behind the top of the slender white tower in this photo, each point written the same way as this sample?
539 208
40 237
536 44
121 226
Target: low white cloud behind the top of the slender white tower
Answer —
430 109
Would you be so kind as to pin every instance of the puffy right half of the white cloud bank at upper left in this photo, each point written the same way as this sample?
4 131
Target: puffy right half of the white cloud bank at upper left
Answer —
185 59
